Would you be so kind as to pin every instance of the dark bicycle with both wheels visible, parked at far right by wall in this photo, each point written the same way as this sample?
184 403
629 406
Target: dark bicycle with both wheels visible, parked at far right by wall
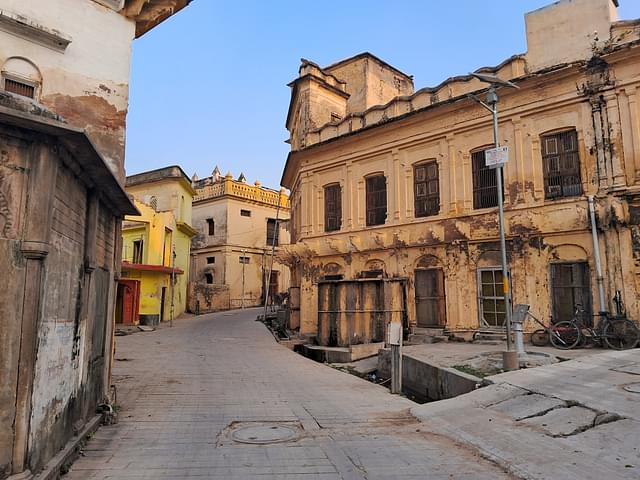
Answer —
616 332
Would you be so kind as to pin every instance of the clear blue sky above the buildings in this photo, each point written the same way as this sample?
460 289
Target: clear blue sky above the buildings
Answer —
209 86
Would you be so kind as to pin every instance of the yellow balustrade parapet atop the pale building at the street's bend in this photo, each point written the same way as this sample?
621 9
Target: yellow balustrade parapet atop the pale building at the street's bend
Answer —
208 188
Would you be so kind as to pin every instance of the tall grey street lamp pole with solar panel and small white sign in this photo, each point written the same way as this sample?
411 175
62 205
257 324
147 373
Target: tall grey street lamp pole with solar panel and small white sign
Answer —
510 357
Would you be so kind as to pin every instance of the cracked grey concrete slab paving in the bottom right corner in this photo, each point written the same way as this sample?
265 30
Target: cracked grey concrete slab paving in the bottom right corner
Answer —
578 419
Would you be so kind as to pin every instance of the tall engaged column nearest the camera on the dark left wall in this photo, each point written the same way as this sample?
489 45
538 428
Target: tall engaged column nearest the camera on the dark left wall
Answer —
34 249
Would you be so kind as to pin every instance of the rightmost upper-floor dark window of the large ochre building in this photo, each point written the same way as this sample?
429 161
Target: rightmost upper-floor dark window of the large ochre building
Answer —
561 165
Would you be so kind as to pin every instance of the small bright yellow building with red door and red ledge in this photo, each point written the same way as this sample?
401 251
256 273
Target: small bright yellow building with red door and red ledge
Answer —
156 247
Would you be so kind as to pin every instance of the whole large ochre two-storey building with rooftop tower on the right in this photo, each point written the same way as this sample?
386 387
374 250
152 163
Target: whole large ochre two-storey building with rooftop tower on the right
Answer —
390 190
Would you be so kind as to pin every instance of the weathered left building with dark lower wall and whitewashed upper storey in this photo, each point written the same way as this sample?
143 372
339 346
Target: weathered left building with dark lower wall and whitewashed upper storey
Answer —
63 101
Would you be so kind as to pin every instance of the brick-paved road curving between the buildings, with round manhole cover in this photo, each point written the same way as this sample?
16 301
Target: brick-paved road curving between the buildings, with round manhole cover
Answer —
185 390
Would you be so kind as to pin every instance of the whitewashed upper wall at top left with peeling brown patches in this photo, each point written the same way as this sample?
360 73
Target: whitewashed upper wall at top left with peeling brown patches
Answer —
89 90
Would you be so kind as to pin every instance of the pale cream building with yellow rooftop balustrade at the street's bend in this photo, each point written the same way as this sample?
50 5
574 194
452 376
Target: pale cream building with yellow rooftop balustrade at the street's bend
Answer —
239 225
